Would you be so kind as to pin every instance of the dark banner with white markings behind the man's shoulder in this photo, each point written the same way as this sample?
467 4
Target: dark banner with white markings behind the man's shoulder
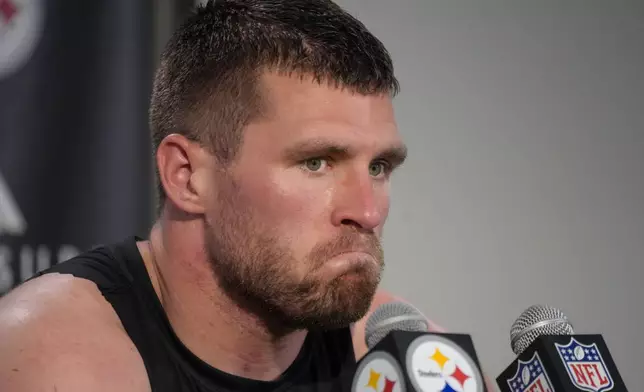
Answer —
75 161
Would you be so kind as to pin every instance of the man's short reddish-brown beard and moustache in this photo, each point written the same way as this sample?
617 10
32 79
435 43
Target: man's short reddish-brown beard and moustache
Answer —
254 266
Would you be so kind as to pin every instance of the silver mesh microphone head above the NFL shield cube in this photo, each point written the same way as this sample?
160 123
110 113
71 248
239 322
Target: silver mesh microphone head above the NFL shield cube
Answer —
535 321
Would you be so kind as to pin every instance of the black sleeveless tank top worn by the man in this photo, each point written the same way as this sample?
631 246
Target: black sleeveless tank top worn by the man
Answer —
326 358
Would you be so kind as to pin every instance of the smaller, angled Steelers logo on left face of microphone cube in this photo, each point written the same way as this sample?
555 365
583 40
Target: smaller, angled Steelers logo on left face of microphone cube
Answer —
378 372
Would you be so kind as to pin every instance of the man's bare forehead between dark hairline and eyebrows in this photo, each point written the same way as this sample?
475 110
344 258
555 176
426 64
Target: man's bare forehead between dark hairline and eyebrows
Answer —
301 107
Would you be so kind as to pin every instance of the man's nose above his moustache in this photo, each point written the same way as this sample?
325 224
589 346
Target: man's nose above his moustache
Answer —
360 203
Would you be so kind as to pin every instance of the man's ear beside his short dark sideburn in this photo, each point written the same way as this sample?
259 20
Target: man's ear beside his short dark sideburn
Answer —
182 164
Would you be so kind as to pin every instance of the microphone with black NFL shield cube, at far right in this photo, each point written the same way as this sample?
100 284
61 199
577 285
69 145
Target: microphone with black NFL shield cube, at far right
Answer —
551 357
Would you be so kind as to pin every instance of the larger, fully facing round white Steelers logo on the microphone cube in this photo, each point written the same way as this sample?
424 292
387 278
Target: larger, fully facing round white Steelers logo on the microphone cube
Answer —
435 363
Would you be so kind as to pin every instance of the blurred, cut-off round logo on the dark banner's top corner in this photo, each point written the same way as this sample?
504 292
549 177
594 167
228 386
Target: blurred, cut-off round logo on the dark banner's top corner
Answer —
21 26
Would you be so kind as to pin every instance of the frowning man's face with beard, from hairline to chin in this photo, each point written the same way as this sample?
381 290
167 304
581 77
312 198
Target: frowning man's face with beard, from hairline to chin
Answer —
296 221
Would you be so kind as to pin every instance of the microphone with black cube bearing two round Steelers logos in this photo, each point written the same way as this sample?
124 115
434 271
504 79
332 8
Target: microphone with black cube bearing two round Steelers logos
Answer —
404 356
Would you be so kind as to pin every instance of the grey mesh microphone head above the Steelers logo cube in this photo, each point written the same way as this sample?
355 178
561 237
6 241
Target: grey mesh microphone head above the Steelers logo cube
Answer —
393 316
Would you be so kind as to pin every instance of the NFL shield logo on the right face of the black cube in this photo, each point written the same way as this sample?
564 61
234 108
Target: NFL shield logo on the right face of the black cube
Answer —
585 366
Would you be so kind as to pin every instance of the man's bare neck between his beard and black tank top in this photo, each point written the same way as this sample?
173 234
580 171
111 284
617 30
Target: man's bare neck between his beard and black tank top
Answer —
204 318
